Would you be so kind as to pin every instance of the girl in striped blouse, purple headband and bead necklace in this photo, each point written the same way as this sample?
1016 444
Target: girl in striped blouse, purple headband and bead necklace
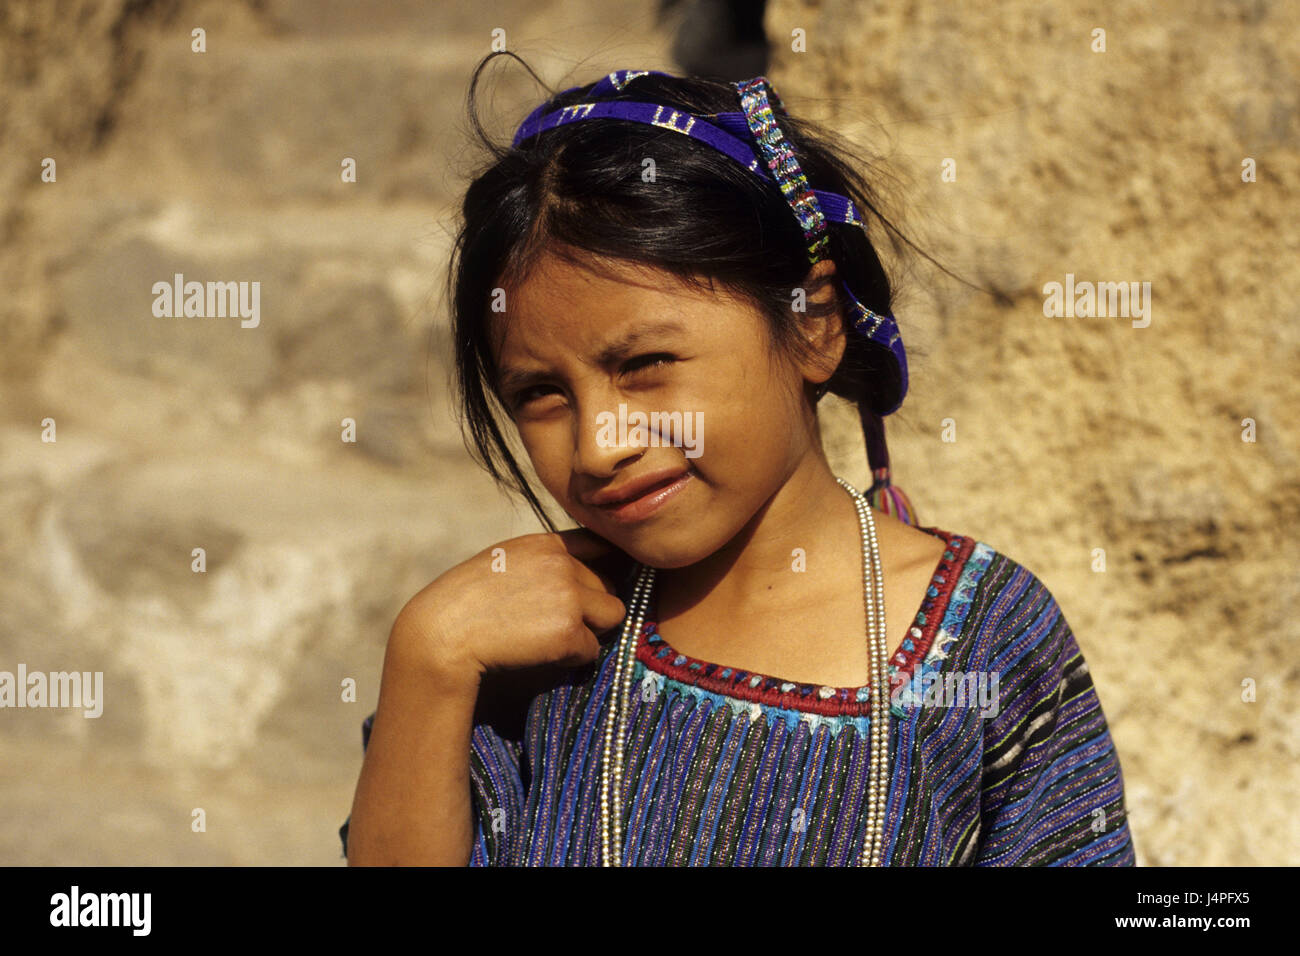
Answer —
705 673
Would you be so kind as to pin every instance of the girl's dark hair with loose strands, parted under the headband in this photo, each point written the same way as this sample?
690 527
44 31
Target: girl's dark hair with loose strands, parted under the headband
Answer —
705 219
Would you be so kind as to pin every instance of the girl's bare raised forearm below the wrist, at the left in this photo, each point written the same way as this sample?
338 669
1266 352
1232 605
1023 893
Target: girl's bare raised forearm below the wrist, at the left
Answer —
413 804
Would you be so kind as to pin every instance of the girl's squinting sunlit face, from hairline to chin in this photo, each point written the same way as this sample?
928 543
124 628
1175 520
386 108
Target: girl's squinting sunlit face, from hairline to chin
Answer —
578 343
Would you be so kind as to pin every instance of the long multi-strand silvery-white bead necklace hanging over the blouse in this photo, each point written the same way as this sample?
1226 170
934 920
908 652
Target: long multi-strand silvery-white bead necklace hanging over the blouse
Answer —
878 769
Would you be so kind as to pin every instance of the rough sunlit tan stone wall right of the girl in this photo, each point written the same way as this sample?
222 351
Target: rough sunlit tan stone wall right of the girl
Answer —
1060 439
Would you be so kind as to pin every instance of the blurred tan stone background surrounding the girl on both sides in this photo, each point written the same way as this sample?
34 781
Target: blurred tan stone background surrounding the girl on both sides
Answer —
1026 148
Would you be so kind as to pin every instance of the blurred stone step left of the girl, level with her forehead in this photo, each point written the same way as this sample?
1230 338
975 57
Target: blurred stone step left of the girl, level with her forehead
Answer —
344 295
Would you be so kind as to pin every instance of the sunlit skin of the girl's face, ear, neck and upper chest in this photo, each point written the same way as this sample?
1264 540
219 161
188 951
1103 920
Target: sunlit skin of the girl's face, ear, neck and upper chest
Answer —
761 488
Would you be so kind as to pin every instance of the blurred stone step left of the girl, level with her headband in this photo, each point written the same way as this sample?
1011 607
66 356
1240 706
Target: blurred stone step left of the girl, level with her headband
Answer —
271 122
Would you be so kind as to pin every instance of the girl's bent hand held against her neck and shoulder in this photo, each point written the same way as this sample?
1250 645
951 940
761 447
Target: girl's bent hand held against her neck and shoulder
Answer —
538 602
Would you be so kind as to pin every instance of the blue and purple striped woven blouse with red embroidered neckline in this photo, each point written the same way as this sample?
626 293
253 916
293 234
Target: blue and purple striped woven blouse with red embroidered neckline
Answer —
1000 752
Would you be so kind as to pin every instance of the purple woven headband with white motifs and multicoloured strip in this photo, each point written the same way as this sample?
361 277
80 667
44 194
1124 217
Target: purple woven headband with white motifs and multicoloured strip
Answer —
757 124
